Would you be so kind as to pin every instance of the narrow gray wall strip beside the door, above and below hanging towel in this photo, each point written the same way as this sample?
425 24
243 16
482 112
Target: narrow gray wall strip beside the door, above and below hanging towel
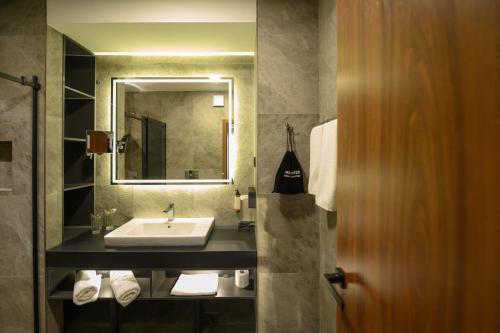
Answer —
327 110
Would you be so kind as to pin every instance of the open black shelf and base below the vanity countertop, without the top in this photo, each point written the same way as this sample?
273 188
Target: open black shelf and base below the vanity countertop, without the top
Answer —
156 304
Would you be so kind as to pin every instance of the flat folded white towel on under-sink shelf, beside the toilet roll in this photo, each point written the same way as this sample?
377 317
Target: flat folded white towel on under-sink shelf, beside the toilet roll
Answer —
196 284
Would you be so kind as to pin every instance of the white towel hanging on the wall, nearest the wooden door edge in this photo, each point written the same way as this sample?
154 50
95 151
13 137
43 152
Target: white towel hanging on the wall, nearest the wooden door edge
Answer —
325 196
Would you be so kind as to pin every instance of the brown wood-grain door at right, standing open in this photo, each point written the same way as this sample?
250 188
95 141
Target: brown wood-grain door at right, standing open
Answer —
418 174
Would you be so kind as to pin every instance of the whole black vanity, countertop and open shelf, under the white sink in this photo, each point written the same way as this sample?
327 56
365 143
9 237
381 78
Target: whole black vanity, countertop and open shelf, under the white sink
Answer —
156 269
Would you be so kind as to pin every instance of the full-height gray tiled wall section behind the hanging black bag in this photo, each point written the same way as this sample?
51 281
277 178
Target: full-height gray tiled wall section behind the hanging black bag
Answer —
287 225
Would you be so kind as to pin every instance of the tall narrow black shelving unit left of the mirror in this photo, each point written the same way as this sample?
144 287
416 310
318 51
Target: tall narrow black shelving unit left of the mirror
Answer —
79 116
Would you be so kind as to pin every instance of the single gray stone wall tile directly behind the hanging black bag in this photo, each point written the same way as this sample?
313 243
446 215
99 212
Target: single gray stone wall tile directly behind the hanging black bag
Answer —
271 145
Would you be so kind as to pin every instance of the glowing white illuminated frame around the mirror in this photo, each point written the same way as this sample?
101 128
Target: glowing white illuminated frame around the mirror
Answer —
231 140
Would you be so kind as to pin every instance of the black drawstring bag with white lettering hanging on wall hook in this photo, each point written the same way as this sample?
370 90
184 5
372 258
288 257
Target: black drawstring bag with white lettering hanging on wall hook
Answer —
290 177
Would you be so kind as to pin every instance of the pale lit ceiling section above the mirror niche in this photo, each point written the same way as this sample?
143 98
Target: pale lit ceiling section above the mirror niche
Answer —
157 26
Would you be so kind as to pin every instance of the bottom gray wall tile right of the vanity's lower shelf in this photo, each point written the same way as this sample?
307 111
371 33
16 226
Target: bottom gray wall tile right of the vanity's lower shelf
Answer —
288 302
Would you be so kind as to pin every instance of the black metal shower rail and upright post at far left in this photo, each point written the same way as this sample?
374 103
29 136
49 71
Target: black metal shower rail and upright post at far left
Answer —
35 86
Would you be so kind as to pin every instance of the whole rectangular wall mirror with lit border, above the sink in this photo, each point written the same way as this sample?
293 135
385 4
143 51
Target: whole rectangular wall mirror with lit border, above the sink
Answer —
172 130
